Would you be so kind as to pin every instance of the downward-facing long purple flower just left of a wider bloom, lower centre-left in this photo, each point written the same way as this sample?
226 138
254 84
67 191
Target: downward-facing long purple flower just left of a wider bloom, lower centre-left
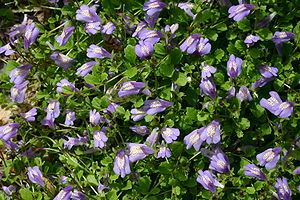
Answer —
121 164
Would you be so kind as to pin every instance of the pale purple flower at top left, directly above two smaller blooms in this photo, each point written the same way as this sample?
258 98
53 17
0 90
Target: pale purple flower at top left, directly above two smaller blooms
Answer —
87 14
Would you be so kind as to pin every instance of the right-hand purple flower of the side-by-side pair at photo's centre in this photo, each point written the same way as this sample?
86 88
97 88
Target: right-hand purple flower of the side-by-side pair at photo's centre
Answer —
156 106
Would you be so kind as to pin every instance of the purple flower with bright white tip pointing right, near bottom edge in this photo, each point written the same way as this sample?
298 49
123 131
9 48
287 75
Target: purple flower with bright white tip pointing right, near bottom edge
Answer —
208 180
